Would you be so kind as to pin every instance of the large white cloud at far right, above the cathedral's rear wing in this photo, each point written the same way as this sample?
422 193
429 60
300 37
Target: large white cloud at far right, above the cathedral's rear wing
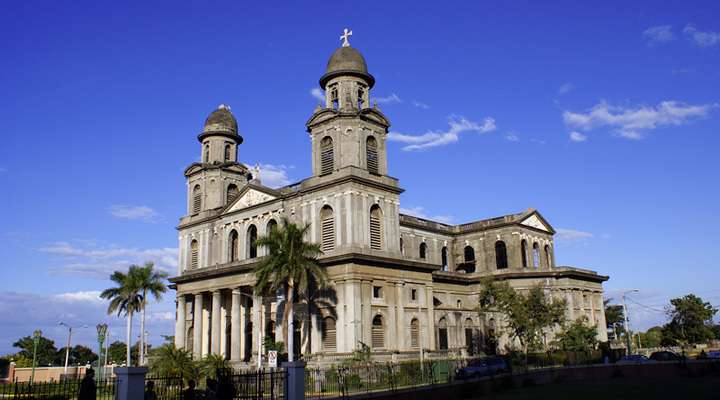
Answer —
632 123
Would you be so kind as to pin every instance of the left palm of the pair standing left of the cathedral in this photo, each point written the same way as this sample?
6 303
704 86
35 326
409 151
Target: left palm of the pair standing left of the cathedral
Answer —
125 298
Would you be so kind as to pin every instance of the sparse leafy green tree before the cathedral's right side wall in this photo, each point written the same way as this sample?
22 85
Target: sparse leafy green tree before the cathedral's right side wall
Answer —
527 316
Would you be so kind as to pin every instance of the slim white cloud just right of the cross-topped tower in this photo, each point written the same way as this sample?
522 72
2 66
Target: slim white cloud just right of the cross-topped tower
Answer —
458 125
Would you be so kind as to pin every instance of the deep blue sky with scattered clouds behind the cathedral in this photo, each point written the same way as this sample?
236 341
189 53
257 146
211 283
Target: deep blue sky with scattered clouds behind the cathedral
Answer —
604 116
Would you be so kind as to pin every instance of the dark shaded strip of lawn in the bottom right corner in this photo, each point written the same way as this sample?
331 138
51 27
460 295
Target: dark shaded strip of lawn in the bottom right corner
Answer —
707 387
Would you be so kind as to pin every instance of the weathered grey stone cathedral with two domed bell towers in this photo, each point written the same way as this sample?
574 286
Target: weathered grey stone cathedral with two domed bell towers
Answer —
401 283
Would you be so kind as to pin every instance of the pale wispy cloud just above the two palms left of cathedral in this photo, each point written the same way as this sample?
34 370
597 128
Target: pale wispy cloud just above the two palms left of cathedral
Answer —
86 258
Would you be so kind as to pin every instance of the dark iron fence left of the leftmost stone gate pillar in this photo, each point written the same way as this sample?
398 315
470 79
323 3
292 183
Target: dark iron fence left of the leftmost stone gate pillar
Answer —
56 390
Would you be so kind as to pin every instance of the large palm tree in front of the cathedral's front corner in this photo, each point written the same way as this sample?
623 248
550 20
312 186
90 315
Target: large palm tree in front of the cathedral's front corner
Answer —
290 266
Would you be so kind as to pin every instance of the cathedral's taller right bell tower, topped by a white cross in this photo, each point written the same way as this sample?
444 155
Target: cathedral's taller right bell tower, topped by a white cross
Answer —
348 133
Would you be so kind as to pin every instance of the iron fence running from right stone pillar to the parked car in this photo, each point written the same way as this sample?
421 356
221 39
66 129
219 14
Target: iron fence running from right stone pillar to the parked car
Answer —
371 377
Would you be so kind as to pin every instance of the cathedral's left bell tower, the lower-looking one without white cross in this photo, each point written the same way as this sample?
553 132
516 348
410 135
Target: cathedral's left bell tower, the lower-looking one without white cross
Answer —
218 177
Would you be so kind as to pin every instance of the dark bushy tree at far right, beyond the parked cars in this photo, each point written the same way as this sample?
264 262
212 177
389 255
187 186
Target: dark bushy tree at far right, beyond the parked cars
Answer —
691 320
